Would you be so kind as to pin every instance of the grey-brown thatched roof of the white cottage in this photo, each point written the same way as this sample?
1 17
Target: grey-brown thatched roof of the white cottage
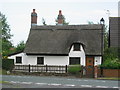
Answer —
57 40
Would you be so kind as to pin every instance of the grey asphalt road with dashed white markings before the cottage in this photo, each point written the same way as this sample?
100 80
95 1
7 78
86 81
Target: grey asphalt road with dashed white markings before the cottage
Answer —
54 82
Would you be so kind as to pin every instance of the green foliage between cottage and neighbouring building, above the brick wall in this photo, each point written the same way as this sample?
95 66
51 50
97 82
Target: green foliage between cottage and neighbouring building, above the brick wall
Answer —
110 57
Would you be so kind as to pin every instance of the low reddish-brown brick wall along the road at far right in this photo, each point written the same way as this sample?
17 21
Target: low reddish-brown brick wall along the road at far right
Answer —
111 72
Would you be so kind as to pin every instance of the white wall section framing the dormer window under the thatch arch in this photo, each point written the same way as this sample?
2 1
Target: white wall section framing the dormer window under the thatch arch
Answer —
80 54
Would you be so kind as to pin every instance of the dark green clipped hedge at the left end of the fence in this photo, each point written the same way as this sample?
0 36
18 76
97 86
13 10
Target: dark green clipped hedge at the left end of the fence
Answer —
7 64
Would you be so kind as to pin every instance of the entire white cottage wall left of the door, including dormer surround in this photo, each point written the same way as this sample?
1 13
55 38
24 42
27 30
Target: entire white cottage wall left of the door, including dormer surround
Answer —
51 60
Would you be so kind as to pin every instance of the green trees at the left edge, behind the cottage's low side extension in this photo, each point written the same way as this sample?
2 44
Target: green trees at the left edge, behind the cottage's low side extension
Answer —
7 46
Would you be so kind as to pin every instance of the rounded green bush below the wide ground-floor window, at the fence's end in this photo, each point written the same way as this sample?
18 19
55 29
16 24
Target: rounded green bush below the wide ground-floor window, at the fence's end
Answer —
74 69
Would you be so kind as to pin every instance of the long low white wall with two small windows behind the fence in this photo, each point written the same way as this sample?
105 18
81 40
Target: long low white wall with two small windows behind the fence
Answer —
49 60
